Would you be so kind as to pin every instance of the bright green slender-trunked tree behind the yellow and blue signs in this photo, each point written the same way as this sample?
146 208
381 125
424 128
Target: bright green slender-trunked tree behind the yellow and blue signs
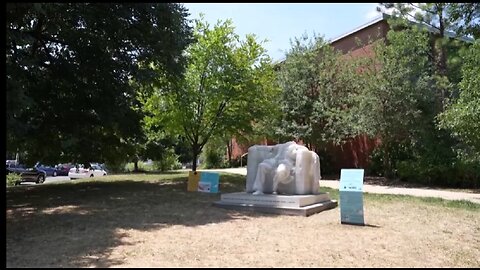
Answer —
227 86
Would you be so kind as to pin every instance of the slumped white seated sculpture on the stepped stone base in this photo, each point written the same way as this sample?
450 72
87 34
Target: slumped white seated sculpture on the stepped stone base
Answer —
286 168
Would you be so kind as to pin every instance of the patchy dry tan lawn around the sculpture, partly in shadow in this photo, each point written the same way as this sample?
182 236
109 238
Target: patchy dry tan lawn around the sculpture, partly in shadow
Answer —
150 220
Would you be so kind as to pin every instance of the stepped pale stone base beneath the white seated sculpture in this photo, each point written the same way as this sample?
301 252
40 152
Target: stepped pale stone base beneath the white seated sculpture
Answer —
303 205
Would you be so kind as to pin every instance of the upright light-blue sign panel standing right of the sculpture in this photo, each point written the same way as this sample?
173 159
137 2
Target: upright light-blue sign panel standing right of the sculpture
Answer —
351 196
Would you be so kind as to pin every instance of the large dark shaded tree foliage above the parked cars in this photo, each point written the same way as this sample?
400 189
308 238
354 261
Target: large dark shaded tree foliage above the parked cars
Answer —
68 69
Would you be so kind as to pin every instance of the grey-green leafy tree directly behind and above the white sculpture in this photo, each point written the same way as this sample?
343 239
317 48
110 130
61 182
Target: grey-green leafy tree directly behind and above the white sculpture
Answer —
316 87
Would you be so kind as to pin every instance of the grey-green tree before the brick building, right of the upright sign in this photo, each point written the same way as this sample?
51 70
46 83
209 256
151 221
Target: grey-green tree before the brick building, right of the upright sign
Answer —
395 102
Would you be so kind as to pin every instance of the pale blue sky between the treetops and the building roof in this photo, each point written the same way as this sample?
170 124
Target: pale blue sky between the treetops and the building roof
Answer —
281 22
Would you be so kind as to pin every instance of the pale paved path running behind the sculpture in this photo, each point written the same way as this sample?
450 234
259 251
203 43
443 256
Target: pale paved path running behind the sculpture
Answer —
419 192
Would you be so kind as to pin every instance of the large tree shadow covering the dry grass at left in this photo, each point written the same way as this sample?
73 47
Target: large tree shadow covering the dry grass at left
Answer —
79 223
